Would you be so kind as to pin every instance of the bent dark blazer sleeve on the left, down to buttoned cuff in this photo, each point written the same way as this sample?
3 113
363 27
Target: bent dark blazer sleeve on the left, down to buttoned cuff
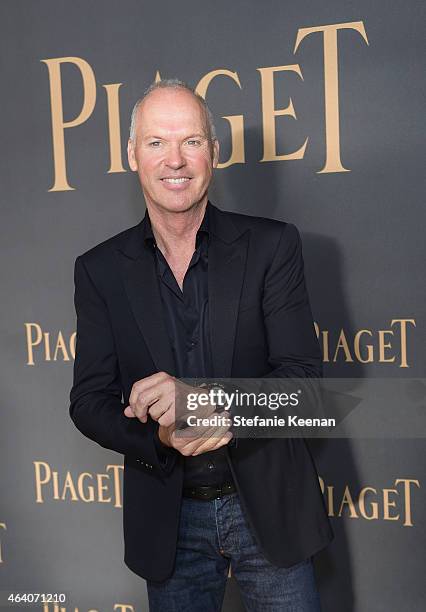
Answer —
96 406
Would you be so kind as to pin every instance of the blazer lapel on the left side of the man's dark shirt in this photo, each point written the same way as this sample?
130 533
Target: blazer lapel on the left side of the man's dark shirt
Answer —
141 284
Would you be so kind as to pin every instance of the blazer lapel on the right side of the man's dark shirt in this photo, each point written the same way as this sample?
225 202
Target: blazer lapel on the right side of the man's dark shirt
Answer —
226 268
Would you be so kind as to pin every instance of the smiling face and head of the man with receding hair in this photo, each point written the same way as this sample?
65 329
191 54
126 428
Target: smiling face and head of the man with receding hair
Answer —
172 153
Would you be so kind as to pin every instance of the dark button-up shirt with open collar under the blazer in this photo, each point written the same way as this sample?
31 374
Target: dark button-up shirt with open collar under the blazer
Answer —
187 321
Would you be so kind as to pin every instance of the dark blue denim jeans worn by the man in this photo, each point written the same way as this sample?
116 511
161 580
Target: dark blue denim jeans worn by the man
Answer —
212 536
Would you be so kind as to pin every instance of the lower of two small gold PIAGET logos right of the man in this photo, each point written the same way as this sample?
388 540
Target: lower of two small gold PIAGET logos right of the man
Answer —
373 503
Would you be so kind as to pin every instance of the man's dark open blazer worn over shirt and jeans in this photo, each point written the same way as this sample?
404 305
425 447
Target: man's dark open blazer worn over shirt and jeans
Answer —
261 325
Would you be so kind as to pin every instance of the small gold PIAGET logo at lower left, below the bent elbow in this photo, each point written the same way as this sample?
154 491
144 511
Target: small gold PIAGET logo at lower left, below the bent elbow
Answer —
87 487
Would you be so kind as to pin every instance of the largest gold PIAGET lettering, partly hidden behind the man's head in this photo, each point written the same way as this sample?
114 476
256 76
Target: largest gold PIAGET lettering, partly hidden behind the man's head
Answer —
327 34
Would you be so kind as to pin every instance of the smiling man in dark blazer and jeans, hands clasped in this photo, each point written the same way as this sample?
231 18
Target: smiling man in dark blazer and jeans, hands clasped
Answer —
193 291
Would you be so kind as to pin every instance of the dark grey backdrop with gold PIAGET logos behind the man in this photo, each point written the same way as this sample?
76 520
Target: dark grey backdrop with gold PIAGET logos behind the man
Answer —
318 108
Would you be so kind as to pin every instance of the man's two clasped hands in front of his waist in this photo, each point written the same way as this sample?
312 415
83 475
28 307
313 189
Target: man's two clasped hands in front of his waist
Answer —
156 395
